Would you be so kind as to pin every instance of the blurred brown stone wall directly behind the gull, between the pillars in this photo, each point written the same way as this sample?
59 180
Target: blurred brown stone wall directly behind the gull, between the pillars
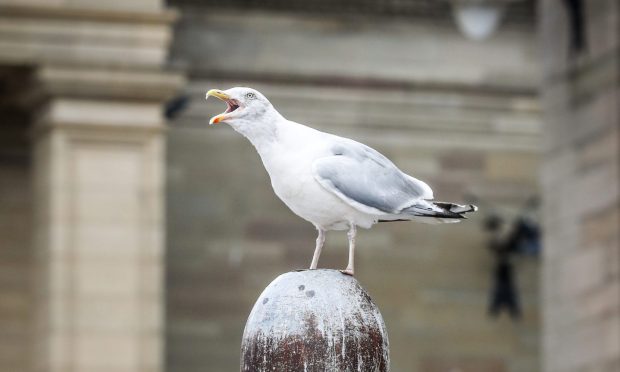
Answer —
470 128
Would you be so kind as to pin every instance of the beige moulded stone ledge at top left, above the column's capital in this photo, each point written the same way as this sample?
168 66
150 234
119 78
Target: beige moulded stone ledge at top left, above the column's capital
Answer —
81 35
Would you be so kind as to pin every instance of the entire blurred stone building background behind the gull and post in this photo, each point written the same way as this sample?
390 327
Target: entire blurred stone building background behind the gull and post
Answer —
133 237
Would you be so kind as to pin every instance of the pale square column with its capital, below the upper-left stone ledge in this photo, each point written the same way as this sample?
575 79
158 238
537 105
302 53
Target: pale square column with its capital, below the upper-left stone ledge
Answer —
99 235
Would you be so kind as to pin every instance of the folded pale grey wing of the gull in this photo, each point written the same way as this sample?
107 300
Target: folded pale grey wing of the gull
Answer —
367 180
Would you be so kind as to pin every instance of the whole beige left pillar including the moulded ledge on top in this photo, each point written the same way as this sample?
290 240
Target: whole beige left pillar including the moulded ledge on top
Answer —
98 158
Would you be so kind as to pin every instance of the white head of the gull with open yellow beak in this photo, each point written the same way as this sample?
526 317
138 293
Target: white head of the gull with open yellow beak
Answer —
245 106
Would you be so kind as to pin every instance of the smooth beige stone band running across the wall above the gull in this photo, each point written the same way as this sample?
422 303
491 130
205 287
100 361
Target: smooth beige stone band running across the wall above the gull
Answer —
419 50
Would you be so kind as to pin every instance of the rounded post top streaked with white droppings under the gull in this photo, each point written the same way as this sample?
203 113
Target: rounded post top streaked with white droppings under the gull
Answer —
315 320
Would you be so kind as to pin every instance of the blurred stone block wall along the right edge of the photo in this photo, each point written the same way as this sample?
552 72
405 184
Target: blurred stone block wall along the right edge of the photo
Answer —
581 188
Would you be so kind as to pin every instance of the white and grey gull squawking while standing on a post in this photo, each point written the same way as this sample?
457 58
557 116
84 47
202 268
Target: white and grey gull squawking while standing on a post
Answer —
333 182
